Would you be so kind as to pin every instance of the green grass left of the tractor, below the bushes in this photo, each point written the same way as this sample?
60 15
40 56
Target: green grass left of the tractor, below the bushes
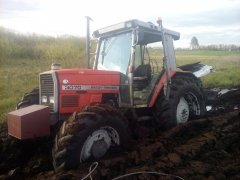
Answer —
18 76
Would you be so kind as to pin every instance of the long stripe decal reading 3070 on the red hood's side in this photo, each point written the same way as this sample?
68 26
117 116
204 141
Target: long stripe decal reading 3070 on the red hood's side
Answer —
87 87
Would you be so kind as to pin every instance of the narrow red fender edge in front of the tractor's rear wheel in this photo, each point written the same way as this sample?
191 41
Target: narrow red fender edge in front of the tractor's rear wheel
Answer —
160 87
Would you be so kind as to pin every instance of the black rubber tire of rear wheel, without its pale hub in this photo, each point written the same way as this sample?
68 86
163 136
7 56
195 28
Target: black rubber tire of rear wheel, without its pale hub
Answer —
165 111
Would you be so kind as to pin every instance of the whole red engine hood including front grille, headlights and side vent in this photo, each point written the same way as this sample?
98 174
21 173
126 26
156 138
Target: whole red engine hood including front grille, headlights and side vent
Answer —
69 90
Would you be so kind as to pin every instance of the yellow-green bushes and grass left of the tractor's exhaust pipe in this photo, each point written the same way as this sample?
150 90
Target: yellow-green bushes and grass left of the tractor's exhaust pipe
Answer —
23 57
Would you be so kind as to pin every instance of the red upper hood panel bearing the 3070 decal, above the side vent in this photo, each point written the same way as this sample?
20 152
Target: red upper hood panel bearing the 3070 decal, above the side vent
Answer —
88 80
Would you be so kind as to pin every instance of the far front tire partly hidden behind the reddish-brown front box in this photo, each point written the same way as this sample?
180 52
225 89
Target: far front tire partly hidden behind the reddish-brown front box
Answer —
29 99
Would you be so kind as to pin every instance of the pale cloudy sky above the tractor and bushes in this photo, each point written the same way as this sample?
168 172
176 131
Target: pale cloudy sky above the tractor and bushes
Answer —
211 21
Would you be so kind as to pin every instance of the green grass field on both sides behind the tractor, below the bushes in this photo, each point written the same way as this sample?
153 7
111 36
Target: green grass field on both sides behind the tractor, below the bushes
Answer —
19 75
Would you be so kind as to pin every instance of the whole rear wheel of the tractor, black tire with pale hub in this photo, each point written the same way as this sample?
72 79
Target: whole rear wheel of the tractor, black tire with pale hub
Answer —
186 101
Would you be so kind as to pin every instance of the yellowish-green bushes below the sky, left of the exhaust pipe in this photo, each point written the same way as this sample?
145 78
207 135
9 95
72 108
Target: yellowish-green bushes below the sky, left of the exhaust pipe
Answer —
14 45
